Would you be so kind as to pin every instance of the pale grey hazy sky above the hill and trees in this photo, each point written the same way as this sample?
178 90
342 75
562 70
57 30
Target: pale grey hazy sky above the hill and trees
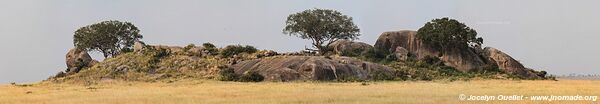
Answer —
558 36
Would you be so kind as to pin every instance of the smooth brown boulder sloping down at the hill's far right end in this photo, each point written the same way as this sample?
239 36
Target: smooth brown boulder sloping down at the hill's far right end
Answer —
508 64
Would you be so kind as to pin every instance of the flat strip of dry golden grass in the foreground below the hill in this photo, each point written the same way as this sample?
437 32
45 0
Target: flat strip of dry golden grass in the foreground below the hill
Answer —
208 91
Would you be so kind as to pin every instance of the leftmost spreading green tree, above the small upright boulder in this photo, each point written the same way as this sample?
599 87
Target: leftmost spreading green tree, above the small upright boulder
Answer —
107 37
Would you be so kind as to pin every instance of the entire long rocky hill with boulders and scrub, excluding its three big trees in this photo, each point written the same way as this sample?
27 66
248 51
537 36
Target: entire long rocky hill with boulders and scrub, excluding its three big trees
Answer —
397 55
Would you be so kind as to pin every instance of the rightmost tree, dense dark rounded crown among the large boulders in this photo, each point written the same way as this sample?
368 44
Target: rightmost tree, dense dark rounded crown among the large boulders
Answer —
443 34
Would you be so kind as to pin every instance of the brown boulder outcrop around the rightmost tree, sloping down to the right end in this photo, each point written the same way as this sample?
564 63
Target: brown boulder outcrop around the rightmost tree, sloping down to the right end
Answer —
464 60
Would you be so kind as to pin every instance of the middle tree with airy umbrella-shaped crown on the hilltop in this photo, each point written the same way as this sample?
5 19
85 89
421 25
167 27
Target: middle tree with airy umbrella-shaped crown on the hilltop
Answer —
321 26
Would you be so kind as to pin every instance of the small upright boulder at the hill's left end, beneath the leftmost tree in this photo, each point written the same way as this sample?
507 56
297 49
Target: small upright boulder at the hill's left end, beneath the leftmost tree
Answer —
77 59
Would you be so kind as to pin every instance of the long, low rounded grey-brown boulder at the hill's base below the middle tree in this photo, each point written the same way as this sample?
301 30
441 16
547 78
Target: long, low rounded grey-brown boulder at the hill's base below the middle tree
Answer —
287 68
